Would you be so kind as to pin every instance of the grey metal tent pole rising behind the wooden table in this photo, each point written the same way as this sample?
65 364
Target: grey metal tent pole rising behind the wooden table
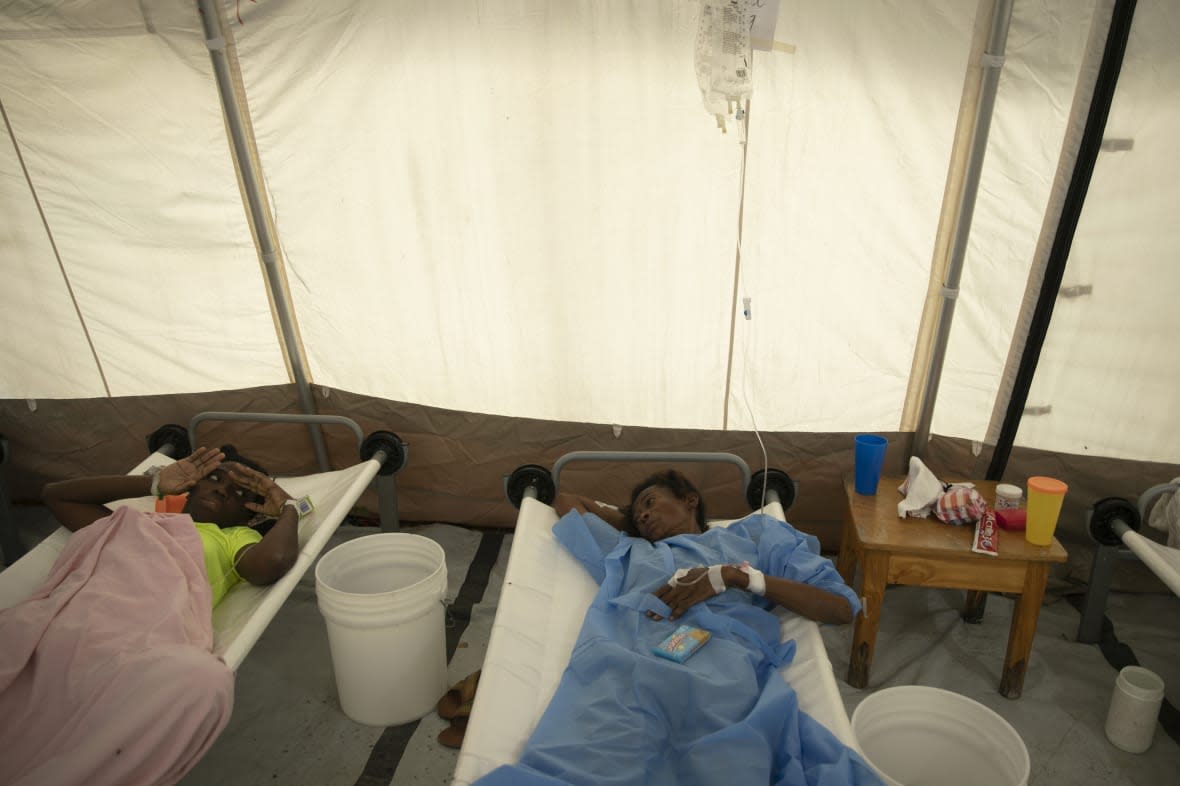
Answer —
992 62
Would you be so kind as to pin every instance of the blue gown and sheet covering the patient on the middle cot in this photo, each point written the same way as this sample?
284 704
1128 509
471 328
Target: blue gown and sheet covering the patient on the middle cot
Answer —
622 716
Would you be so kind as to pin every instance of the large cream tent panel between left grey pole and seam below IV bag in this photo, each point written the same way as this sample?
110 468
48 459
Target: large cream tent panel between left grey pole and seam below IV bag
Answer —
537 213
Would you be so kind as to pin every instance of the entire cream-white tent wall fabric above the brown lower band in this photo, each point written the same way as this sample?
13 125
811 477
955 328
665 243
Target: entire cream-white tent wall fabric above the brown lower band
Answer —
522 208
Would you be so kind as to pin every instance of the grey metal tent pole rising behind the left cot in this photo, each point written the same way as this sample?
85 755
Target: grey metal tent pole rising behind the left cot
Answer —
211 19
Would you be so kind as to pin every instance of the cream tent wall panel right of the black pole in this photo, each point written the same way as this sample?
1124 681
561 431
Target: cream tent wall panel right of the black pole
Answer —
1110 363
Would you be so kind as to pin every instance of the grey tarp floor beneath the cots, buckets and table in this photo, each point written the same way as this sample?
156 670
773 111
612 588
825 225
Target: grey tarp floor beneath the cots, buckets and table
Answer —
289 728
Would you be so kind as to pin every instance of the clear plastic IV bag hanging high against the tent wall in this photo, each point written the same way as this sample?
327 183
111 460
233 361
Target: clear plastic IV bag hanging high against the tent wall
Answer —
724 57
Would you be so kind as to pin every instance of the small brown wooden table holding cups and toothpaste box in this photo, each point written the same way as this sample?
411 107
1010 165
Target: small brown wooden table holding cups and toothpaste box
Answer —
927 553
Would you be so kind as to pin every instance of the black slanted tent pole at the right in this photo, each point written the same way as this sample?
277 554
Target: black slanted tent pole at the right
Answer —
1072 209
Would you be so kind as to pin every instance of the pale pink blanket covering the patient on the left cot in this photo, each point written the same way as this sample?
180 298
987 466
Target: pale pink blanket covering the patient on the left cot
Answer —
107 672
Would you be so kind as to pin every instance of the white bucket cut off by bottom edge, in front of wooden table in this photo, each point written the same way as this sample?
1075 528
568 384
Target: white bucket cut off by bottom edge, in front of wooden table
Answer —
915 736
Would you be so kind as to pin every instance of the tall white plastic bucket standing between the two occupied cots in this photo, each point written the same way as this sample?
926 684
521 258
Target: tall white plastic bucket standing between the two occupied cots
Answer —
382 598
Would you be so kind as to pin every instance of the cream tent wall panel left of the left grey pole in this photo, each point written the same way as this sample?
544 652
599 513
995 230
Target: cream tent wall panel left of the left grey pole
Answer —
126 146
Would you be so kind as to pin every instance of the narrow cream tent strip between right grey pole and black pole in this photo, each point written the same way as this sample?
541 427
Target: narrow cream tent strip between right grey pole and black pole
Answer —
1033 103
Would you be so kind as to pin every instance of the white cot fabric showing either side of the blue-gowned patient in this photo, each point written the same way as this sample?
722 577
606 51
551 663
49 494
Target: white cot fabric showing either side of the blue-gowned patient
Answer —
541 611
